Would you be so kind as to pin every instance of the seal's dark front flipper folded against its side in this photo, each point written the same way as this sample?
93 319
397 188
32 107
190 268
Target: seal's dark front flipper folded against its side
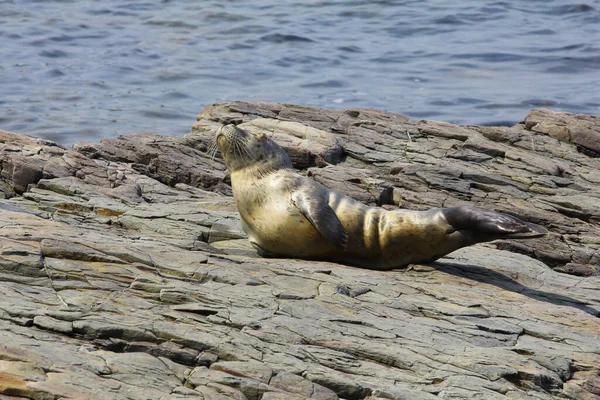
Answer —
322 217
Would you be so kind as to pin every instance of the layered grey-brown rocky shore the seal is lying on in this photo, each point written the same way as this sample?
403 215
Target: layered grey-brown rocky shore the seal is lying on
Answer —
125 274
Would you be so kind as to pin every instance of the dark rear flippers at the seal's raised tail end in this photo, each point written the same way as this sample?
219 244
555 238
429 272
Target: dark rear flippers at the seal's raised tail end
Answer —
490 224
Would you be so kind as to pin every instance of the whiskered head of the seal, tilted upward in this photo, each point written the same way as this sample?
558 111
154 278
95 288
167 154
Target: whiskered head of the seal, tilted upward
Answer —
241 149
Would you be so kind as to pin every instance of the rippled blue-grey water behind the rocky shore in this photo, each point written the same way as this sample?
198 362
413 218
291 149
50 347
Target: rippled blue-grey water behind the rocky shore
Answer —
84 70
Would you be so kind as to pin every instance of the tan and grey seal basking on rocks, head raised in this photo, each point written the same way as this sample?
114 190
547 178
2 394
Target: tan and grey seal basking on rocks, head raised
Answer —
289 215
